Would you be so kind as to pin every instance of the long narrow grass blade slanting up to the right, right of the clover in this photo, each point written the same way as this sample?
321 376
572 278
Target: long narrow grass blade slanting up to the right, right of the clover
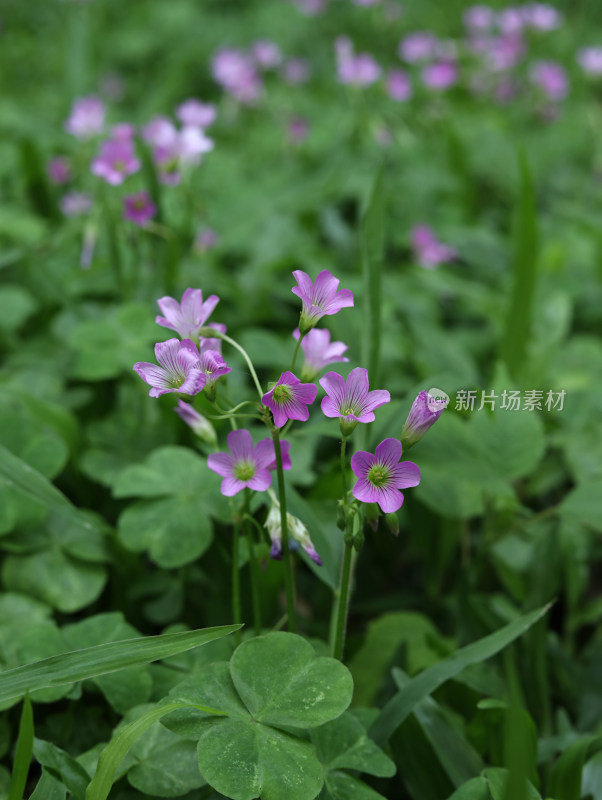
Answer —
403 703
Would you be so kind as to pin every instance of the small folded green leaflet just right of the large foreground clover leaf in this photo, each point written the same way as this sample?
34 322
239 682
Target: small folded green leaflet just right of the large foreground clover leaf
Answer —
343 743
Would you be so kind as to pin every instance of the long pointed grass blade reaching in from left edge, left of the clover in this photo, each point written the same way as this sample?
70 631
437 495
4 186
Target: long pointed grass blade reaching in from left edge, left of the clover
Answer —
101 660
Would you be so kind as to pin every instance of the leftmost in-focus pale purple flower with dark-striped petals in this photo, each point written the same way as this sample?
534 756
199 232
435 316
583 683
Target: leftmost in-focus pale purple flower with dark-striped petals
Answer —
179 371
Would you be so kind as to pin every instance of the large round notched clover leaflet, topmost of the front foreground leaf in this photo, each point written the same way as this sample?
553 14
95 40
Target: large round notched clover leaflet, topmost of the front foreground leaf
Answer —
309 691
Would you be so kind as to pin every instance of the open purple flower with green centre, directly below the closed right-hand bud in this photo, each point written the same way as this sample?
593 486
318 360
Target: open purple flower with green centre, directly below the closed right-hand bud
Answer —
380 476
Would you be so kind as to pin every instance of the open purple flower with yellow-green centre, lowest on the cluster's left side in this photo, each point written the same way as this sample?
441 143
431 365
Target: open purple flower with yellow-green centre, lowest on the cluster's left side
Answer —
245 465
